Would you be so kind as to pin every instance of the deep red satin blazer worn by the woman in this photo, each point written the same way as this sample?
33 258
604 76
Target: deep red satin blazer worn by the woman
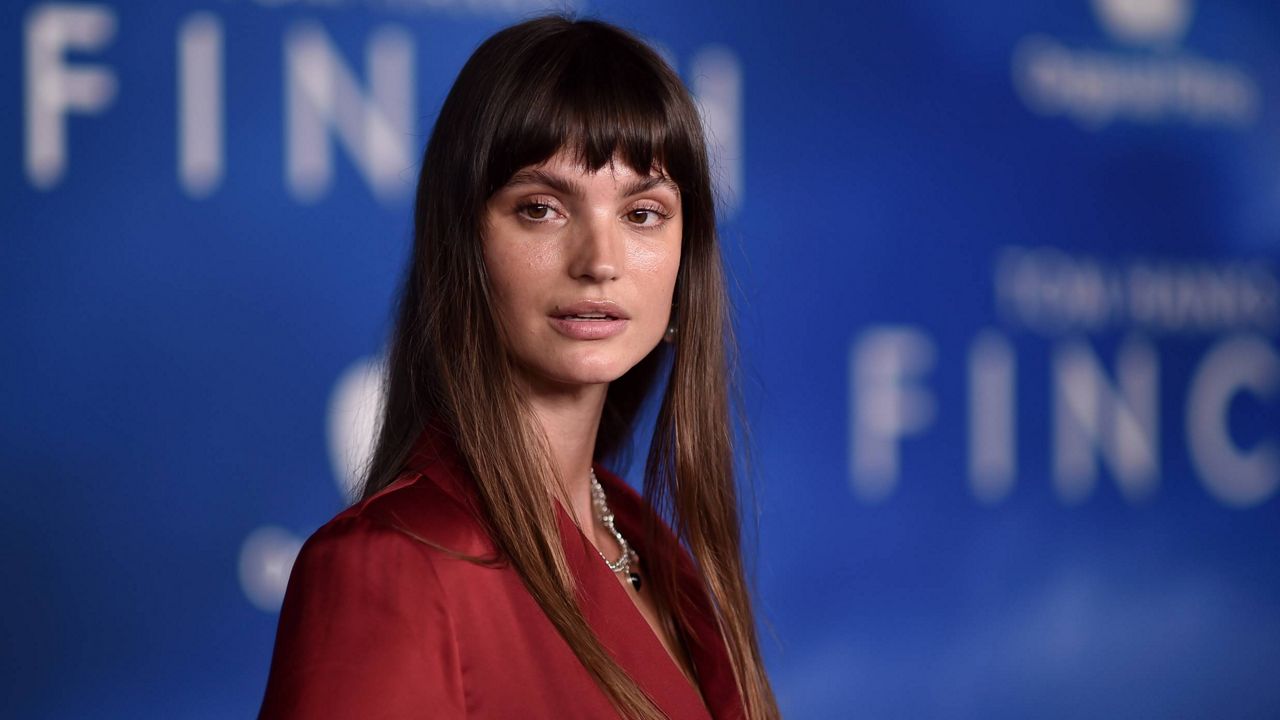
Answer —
380 626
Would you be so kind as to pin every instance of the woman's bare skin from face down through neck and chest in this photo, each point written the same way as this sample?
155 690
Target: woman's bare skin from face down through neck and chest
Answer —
560 235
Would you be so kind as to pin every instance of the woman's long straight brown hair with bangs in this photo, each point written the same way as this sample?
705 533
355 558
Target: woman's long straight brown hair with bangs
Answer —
598 92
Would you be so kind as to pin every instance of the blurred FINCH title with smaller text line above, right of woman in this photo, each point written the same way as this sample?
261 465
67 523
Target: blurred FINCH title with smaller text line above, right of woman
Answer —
1107 404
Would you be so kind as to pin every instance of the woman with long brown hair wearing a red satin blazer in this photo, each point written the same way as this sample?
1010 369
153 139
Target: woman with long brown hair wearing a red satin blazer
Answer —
565 266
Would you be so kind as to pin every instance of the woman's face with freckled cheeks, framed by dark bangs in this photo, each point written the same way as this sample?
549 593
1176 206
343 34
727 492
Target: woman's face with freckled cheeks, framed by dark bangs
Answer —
583 267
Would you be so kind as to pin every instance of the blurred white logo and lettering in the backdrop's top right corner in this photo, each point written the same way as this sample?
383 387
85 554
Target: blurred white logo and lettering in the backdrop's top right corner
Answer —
1140 75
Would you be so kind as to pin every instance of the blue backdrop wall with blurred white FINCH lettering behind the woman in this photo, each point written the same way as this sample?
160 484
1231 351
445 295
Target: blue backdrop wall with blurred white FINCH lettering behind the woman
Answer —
1008 290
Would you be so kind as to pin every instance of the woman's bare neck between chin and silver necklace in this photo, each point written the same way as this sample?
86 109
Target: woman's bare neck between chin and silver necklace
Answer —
572 418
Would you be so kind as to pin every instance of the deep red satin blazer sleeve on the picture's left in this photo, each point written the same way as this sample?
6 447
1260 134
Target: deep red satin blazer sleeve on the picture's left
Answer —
364 631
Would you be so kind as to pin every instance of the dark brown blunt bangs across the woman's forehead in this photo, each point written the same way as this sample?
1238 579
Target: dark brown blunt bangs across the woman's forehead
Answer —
601 95
